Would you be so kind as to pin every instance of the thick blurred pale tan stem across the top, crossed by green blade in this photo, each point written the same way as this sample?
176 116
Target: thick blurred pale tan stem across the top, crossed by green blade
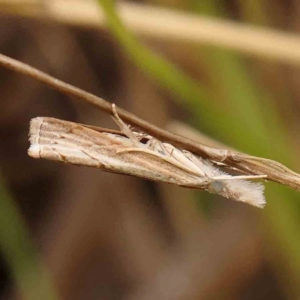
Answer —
169 25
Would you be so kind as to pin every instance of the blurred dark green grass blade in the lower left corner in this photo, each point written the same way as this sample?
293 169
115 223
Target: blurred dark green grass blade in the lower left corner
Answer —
30 276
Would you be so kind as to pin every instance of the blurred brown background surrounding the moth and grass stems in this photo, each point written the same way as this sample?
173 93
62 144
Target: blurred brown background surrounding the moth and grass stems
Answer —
106 236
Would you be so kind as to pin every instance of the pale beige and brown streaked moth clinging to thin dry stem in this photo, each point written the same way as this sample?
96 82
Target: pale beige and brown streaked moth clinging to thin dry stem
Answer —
138 154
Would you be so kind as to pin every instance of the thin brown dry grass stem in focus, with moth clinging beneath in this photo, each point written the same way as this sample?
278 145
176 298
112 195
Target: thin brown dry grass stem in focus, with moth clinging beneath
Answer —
245 163
